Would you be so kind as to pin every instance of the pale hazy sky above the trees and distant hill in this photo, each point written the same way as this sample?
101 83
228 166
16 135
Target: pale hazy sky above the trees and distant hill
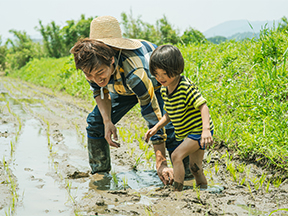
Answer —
202 15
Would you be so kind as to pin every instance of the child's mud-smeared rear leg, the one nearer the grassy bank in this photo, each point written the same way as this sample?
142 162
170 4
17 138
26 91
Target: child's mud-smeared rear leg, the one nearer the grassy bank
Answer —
196 159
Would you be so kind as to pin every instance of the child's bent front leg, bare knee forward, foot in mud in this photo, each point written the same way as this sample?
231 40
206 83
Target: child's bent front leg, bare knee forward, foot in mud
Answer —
187 147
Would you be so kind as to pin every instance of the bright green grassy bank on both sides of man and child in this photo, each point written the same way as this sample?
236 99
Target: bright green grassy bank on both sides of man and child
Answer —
245 83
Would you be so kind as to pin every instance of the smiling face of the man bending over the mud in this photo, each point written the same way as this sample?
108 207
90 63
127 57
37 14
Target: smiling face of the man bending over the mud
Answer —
101 75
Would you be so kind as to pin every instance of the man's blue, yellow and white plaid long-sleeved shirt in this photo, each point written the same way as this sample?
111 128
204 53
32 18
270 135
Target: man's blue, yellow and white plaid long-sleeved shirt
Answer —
132 77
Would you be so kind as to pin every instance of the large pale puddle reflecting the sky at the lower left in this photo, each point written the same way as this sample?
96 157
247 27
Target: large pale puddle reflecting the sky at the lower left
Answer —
38 193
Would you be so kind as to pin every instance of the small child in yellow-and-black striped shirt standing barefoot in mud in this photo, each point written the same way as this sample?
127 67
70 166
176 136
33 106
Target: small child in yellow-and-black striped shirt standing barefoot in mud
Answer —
186 109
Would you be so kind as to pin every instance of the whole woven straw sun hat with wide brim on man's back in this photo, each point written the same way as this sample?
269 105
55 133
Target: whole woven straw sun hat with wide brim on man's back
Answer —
107 30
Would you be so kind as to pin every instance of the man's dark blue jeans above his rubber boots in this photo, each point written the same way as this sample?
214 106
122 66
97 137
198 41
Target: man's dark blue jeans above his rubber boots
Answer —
120 106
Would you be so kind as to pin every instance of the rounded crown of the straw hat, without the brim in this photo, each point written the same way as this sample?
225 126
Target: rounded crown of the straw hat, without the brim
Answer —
105 27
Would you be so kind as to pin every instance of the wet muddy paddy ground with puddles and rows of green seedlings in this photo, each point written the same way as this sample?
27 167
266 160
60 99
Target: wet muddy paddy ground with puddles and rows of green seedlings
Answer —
45 169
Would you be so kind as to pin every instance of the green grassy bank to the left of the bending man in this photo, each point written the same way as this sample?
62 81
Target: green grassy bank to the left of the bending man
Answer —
56 74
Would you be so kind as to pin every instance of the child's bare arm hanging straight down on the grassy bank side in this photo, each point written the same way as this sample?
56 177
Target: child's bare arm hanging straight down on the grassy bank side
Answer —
206 137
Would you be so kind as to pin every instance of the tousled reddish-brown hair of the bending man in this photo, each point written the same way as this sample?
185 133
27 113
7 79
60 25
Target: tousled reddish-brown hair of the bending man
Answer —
90 54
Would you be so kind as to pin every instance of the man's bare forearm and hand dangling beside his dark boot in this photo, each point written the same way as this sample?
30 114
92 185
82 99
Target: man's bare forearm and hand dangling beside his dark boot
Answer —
104 106
